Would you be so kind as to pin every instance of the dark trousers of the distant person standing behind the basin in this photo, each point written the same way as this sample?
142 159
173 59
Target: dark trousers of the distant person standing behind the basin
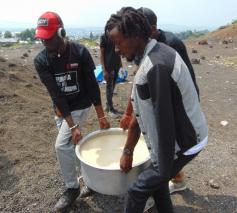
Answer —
110 85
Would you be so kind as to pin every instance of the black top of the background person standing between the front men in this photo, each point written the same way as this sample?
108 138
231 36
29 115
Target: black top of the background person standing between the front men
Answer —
112 60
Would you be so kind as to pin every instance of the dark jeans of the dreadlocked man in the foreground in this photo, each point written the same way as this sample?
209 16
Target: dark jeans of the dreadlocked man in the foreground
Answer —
147 185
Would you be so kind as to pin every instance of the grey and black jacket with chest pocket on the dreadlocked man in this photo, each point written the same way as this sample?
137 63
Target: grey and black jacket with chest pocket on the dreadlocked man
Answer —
166 105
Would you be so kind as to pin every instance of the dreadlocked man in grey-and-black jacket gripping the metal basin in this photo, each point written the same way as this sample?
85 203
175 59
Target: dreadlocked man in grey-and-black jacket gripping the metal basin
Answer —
166 110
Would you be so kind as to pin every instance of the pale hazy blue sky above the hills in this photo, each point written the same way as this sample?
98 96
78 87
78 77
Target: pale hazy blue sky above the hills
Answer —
94 13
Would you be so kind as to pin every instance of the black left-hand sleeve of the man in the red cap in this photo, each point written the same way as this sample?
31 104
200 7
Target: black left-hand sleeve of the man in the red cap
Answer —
48 80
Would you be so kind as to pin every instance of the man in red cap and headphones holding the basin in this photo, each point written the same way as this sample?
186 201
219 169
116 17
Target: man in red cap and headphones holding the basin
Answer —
67 71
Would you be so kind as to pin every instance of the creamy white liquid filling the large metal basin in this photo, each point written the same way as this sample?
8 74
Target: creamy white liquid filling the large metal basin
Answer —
105 151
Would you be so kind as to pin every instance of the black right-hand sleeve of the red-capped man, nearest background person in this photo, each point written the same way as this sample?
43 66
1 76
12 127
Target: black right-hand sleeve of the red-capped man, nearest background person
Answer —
92 86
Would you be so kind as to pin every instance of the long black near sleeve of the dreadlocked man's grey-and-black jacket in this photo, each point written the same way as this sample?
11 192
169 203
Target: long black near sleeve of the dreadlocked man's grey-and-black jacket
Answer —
159 83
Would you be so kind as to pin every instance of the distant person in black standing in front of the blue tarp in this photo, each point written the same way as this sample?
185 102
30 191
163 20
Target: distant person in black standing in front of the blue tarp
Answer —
111 63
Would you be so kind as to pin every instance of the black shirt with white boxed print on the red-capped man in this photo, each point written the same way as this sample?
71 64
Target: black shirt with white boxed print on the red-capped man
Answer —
70 78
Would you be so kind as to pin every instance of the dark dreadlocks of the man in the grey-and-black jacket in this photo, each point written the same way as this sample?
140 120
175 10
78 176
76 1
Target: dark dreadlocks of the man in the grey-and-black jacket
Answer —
130 22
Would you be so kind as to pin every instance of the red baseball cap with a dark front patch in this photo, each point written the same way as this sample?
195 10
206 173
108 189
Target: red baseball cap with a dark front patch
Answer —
47 25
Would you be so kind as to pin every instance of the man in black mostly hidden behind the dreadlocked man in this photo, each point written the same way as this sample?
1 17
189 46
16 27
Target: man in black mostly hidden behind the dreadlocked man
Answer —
177 183
